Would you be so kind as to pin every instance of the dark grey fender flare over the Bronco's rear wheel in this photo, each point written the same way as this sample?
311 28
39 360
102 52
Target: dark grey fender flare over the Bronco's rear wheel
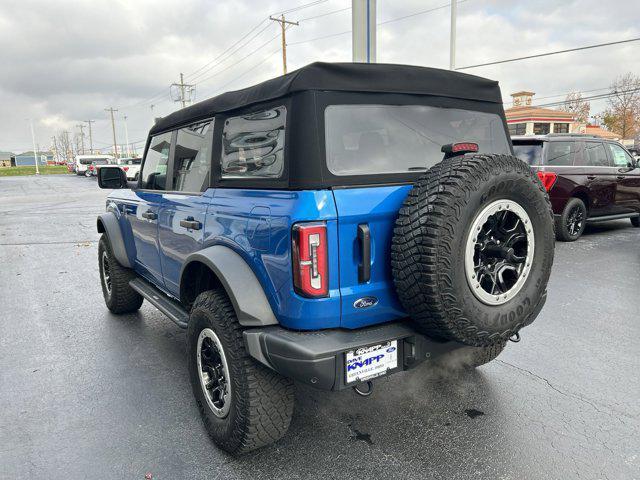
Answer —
241 284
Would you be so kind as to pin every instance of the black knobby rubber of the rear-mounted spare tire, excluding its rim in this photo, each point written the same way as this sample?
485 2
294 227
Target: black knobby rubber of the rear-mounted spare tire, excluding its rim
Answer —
428 245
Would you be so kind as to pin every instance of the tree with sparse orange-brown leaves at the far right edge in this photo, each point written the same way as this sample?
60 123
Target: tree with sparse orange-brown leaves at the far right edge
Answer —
623 114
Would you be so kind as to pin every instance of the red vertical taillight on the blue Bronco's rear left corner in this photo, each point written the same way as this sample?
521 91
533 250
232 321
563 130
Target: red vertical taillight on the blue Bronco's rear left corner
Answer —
309 251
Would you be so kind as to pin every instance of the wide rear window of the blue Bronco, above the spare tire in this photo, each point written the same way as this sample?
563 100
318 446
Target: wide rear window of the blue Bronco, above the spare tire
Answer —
374 139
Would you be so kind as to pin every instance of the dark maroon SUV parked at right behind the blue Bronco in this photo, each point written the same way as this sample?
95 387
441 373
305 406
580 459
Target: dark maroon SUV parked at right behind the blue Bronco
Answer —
588 179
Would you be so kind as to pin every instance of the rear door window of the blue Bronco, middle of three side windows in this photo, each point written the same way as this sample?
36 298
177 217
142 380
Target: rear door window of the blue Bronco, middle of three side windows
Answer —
192 159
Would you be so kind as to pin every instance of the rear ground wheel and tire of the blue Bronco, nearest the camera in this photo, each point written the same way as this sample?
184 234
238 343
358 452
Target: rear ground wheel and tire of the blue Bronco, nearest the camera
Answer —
259 405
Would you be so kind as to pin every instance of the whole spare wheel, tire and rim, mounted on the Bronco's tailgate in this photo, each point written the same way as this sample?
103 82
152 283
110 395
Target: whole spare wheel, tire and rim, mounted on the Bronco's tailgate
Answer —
472 249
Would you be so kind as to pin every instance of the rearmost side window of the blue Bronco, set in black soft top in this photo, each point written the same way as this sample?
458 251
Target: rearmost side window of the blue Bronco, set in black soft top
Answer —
253 145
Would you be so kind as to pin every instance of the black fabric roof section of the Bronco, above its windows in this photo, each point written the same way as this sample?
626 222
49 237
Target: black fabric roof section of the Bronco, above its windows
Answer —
343 77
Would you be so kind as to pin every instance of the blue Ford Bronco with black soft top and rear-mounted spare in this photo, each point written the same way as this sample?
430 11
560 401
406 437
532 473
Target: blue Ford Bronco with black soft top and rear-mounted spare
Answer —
330 226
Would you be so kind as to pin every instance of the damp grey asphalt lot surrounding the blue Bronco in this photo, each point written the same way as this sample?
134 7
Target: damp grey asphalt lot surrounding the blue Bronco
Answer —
86 394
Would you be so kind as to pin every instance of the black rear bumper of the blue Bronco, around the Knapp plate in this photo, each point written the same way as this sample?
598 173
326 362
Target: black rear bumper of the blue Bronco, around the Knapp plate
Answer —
318 358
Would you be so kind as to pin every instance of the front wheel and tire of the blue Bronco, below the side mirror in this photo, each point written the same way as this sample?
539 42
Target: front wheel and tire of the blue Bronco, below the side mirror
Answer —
114 278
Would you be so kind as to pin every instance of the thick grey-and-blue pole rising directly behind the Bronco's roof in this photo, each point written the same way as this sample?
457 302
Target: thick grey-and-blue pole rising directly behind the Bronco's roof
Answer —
363 30
